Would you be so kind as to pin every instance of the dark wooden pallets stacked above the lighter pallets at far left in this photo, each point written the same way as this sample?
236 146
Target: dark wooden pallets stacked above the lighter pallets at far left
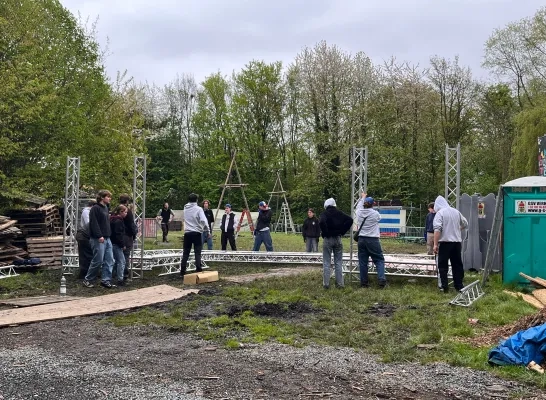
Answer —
36 222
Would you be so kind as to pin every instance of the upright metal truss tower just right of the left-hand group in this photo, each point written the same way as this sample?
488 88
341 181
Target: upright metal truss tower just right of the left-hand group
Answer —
139 201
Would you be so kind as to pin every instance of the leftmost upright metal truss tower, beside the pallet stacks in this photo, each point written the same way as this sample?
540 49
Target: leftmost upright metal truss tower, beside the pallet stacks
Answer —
70 226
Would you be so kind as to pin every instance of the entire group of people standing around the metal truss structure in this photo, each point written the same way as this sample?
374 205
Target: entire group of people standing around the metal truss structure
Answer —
105 239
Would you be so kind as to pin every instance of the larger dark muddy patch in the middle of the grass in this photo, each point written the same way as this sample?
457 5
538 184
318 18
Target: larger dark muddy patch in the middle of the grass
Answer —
276 310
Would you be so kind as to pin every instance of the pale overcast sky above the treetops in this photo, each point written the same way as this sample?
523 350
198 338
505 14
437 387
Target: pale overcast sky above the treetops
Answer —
155 40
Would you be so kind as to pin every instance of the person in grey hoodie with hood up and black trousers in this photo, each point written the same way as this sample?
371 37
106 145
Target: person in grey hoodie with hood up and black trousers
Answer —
448 224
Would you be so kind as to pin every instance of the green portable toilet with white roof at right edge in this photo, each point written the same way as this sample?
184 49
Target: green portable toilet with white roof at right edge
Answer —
524 229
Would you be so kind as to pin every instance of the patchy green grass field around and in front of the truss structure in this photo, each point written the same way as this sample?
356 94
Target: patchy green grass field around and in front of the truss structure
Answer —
392 323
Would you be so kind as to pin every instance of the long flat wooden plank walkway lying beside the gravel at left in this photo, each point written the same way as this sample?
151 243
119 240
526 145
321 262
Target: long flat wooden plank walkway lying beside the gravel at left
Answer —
93 305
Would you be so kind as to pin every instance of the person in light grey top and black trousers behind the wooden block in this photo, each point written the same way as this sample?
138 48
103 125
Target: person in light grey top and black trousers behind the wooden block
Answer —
195 226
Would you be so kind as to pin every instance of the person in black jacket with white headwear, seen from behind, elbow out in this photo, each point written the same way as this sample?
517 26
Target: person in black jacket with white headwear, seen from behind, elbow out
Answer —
333 225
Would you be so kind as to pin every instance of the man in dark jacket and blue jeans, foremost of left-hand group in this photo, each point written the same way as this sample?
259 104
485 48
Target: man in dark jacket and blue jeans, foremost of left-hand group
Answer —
99 233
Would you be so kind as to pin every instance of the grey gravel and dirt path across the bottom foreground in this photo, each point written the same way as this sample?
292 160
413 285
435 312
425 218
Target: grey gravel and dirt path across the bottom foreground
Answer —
86 358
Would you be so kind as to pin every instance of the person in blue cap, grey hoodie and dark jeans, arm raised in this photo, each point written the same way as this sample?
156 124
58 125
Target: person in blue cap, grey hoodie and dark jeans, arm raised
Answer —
368 241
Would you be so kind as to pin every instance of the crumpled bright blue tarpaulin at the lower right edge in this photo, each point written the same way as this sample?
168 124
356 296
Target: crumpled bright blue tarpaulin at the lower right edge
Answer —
521 348
